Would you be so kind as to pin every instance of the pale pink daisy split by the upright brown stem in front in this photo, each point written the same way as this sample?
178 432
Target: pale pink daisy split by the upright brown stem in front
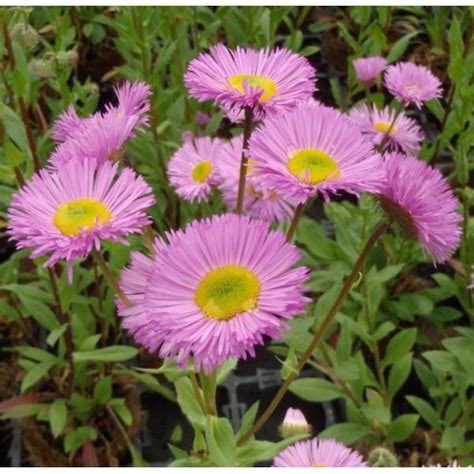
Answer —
260 202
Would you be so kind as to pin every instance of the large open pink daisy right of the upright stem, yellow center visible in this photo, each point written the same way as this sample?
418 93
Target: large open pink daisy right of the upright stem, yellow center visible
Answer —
314 149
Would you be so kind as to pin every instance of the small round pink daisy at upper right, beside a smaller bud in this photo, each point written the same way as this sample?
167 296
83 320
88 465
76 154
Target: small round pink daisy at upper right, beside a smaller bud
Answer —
412 84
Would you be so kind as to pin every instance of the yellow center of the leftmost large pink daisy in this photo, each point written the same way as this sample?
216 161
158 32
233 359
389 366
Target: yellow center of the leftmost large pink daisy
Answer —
74 216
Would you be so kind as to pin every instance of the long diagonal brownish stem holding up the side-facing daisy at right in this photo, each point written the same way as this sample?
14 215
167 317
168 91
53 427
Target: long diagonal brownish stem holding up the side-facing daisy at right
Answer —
320 333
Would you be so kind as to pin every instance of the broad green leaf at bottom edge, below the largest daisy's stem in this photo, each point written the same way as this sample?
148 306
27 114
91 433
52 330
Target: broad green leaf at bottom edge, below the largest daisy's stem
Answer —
220 441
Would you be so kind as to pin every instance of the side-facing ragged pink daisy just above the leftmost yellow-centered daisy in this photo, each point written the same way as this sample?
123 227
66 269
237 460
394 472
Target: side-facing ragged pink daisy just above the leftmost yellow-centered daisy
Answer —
102 136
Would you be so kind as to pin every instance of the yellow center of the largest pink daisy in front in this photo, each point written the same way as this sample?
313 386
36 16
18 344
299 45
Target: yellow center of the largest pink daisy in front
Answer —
227 291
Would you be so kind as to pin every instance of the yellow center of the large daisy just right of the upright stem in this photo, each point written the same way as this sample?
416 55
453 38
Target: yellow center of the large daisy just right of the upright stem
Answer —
313 166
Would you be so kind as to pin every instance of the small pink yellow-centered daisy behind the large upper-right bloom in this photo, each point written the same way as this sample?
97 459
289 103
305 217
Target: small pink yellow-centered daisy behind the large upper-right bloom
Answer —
405 134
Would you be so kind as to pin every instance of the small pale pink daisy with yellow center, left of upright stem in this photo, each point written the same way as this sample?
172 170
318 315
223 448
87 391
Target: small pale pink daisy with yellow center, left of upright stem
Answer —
192 168
